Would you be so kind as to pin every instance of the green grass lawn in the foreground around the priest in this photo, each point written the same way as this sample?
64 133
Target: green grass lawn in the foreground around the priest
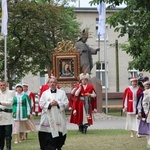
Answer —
93 140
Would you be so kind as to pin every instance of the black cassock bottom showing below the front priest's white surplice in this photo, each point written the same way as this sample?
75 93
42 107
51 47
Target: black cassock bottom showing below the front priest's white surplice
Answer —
47 142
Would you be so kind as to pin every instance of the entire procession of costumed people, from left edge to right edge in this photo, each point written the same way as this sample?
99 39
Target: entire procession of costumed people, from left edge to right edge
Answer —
18 107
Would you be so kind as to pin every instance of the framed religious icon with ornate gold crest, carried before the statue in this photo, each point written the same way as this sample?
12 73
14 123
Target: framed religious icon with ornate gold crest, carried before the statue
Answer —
66 62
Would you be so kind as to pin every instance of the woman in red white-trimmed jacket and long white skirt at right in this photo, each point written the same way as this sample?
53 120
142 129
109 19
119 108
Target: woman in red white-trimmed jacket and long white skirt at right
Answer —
130 96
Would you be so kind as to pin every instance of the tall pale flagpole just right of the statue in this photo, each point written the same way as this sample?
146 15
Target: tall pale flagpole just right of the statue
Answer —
105 58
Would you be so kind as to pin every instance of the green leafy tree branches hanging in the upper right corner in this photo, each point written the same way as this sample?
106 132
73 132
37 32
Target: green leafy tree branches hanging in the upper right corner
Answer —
134 20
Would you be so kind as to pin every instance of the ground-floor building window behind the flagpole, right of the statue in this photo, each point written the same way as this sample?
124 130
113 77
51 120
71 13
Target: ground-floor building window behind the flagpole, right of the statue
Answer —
100 72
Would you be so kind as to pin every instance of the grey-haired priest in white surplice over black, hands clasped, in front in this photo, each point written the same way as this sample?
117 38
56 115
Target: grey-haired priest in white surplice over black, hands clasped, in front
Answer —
52 128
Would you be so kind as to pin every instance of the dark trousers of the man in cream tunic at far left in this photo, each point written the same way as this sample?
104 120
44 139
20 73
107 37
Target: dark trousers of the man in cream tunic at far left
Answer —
5 134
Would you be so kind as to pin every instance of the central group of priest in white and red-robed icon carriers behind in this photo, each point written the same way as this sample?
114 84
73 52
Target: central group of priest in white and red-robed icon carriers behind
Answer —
53 102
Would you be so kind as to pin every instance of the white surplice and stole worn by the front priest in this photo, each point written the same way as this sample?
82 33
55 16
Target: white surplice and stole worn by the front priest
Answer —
53 120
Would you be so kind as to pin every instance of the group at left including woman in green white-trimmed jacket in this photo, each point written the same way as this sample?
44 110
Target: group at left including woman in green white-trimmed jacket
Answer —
16 108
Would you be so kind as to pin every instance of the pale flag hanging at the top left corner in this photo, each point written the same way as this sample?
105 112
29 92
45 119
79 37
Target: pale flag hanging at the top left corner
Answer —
4 17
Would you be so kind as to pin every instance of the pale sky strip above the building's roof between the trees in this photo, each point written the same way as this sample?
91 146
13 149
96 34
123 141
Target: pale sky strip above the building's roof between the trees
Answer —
85 3
